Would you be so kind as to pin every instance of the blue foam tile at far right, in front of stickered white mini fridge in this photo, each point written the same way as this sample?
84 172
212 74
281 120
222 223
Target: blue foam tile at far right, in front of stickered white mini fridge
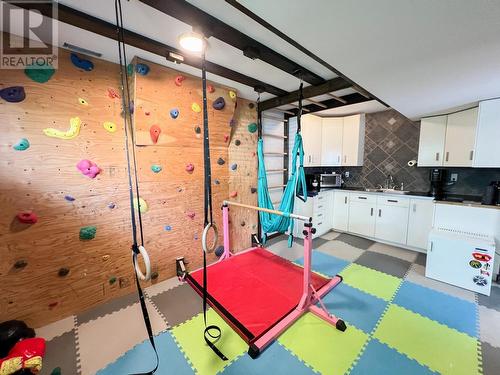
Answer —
448 310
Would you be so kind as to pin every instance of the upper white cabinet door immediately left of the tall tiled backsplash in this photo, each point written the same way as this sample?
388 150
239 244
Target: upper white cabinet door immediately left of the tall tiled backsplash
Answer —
353 140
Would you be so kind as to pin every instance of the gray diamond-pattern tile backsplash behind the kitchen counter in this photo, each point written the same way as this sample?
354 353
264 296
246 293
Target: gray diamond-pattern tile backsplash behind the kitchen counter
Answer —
391 141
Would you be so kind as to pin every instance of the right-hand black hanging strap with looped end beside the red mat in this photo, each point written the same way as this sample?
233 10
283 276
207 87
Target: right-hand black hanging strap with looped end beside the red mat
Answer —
212 333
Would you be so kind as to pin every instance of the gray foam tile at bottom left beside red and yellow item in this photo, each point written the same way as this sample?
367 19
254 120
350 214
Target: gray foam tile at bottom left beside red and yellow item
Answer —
61 352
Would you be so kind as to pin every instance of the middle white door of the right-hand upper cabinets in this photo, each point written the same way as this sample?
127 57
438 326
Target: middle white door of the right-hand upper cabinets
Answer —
460 137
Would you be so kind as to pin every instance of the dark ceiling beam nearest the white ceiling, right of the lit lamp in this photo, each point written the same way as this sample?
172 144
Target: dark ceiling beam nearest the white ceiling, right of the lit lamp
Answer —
211 26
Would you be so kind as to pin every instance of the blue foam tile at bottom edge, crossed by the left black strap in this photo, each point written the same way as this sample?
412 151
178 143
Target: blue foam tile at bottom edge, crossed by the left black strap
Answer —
141 358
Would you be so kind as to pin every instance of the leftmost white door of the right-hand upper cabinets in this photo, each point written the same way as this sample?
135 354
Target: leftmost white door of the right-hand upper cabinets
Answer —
431 143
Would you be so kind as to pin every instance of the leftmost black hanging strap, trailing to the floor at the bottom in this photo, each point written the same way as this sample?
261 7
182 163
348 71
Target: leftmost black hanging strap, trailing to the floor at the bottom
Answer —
127 120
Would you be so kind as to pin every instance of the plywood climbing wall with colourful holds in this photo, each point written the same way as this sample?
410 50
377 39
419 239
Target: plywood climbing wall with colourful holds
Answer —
65 227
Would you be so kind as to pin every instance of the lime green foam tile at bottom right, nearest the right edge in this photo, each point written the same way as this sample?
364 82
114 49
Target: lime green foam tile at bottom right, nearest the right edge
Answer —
430 343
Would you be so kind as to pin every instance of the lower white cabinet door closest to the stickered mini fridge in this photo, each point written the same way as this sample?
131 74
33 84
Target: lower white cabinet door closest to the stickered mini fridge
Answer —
419 222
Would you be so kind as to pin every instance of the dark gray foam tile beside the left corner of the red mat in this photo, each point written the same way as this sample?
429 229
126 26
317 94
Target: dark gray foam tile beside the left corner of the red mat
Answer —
178 304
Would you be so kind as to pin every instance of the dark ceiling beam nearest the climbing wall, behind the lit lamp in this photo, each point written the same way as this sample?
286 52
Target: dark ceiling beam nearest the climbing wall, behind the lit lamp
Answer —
93 24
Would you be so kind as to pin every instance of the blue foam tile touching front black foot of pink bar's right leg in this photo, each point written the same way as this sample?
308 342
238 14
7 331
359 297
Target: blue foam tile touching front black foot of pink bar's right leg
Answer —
354 306
